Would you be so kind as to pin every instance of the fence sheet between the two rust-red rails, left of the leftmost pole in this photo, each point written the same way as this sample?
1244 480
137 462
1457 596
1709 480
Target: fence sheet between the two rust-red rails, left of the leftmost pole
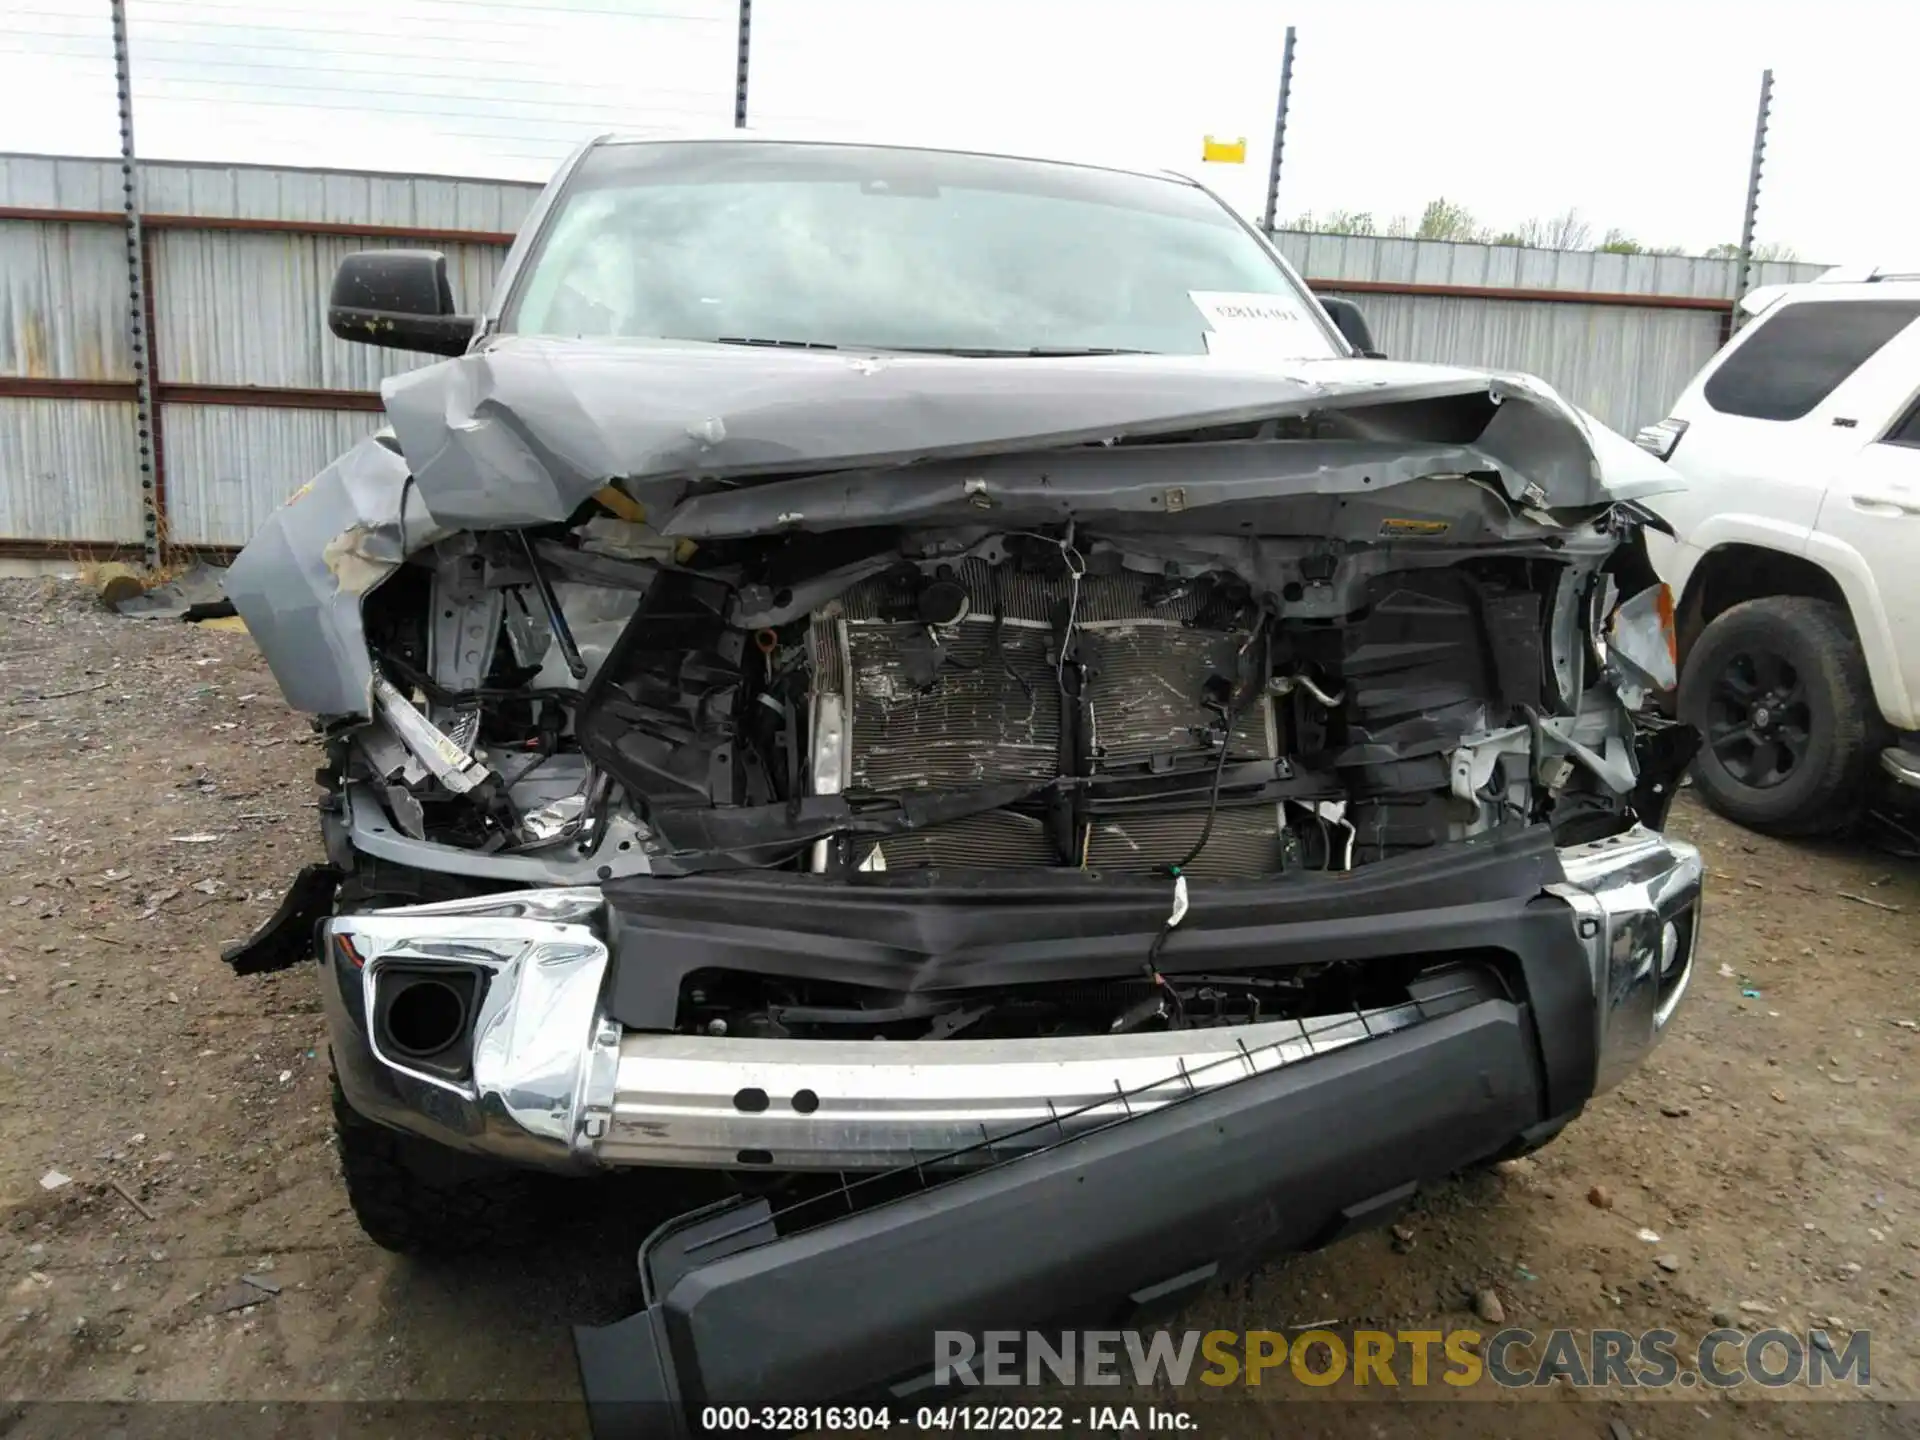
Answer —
64 302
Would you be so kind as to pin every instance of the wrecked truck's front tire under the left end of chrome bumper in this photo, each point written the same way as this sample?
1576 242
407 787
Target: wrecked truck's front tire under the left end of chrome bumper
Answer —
416 1197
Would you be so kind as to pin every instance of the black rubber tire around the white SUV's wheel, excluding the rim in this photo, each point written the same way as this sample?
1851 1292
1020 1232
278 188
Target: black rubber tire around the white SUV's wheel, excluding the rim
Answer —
1840 794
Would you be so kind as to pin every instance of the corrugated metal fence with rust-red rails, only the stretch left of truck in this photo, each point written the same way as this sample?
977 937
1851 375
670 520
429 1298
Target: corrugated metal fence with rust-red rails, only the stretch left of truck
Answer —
254 395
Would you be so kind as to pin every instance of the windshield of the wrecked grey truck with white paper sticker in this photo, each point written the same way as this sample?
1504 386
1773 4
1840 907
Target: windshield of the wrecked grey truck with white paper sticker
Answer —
875 249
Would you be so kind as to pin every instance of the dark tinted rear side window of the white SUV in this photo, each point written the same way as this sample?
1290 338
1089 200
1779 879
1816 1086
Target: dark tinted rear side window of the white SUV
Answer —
1802 354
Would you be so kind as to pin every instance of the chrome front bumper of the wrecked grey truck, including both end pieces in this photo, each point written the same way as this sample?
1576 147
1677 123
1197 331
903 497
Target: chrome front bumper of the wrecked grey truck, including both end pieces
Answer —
554 1082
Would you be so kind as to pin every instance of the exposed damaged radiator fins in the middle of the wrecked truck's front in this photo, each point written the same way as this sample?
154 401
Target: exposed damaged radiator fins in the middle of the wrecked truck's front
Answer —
978 702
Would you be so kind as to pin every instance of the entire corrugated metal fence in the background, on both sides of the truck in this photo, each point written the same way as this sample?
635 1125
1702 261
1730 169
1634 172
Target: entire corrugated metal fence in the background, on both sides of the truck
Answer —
256 396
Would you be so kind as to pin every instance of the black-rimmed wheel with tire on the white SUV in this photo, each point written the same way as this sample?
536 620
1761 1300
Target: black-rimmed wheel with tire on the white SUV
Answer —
1787 715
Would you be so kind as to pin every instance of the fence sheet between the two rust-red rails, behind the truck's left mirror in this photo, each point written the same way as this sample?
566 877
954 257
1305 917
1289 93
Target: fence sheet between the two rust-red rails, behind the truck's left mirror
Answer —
251 310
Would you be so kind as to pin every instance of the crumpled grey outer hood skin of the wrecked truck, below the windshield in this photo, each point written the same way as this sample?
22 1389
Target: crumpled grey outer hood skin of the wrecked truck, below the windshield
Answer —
529 429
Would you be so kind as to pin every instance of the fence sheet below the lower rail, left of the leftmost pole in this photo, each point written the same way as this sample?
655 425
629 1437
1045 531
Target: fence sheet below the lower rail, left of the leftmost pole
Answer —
66 471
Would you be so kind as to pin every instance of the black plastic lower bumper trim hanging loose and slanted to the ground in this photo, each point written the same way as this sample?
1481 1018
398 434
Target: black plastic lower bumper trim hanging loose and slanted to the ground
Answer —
1147 1211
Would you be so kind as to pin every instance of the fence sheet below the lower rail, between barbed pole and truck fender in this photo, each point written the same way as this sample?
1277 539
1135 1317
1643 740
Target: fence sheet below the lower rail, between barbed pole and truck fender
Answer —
229 468
